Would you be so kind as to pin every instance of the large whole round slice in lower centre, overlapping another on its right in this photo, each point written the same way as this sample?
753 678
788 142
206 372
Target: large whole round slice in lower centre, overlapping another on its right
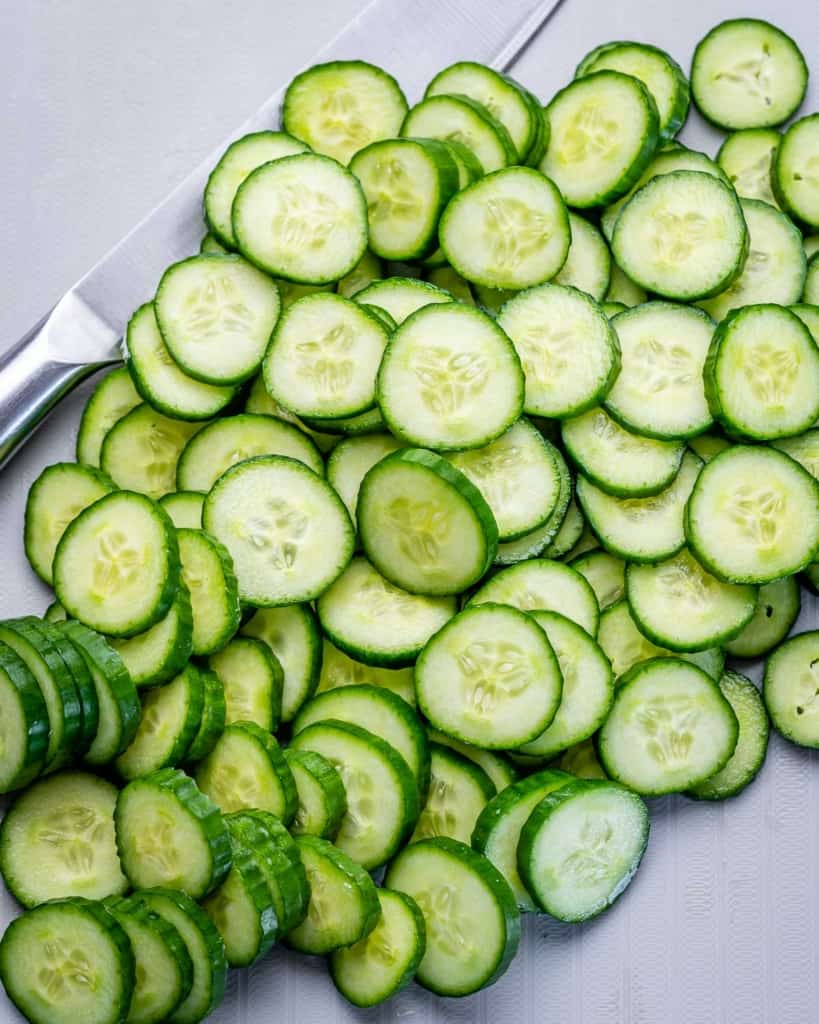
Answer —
490 677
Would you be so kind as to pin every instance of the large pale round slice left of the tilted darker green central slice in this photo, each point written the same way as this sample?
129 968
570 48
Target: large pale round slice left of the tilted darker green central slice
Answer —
286 530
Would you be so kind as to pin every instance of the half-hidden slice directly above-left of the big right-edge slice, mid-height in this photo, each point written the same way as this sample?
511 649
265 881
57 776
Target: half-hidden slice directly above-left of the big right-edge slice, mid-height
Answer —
619 461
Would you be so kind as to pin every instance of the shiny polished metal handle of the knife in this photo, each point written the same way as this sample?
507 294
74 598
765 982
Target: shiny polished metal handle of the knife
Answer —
31 385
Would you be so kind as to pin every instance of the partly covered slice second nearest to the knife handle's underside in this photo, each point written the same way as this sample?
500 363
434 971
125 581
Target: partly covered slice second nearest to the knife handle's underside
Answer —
142 450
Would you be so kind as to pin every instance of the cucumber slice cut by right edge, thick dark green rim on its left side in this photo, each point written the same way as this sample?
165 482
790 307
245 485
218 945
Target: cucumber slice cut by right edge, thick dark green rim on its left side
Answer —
762 374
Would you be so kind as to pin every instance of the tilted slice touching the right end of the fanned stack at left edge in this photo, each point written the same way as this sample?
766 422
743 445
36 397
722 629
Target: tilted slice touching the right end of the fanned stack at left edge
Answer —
171 717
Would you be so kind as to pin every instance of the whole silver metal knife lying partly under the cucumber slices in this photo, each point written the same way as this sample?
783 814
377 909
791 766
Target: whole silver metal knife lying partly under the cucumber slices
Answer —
82 333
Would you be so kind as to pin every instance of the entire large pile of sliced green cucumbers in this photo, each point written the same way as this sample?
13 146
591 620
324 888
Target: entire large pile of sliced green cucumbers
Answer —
412 540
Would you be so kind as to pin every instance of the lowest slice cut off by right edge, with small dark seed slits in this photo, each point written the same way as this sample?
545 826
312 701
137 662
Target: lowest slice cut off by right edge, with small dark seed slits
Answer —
791 689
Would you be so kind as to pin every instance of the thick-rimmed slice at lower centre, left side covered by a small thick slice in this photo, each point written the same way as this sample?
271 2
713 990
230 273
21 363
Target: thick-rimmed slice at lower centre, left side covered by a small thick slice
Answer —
382 793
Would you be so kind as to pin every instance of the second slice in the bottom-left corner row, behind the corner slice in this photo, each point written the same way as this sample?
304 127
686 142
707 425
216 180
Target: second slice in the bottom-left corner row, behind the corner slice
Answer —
164 968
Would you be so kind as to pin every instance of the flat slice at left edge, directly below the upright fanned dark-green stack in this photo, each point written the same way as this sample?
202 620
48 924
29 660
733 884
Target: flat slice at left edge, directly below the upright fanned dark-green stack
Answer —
58 840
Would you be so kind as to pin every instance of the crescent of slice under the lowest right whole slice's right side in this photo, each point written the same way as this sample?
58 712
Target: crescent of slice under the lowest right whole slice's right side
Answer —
752 746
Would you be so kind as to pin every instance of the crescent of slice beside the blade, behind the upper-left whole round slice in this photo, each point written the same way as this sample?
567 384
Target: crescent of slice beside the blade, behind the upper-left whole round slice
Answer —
242 157
